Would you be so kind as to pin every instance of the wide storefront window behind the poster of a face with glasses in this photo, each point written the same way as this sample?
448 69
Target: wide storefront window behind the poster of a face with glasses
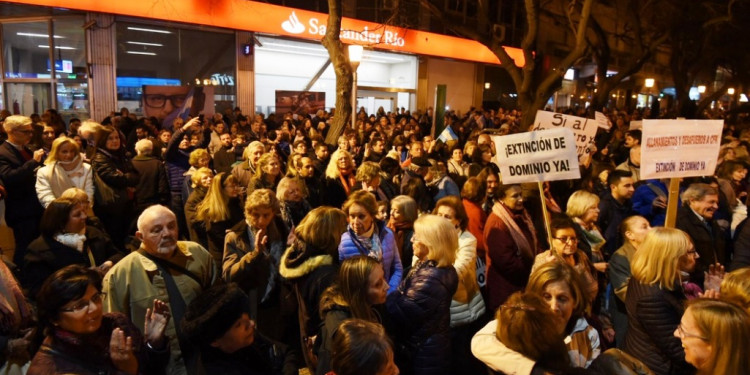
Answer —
155 55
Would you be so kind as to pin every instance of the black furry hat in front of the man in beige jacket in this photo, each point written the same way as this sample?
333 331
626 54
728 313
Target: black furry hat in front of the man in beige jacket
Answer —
210 315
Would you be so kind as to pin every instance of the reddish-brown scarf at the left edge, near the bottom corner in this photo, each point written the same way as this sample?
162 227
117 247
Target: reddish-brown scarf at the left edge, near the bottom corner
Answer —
14 311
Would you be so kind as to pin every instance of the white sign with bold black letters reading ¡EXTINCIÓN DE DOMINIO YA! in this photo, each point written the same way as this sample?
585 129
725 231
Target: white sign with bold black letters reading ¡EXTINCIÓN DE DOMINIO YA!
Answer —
545 155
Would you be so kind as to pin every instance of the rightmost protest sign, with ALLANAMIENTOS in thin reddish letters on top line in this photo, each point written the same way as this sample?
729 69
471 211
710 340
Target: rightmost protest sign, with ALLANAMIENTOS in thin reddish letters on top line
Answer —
679 148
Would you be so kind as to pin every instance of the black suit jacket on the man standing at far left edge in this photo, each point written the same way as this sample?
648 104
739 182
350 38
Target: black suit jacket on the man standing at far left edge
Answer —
19 177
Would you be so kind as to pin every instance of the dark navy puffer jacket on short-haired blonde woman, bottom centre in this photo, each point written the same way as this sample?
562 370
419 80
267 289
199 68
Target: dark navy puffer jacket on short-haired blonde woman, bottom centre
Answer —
420 311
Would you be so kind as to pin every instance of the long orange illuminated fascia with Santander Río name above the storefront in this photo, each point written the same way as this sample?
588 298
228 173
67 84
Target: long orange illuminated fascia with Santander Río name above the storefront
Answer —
261 17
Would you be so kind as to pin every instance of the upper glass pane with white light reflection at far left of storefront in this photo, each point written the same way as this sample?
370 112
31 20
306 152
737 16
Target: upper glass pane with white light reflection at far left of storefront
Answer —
26 49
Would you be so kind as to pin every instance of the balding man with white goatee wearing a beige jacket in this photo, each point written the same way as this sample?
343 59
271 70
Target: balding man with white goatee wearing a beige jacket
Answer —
166 269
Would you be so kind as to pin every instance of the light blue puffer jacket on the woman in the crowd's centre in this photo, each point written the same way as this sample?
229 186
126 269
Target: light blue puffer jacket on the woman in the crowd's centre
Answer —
350 246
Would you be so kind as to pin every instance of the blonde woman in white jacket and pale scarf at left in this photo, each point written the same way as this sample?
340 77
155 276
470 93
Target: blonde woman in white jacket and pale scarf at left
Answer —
64 168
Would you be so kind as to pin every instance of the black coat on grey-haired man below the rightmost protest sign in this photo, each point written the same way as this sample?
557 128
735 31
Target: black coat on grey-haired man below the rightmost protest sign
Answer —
711 246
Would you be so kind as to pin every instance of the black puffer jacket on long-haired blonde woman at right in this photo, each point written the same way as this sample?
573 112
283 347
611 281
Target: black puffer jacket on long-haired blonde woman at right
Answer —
653 316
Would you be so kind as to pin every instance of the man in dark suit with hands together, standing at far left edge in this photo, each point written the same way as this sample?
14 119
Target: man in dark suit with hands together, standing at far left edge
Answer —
18 165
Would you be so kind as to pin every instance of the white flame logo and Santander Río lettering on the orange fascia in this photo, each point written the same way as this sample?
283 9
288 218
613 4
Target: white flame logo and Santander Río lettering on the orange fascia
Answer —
315 27
